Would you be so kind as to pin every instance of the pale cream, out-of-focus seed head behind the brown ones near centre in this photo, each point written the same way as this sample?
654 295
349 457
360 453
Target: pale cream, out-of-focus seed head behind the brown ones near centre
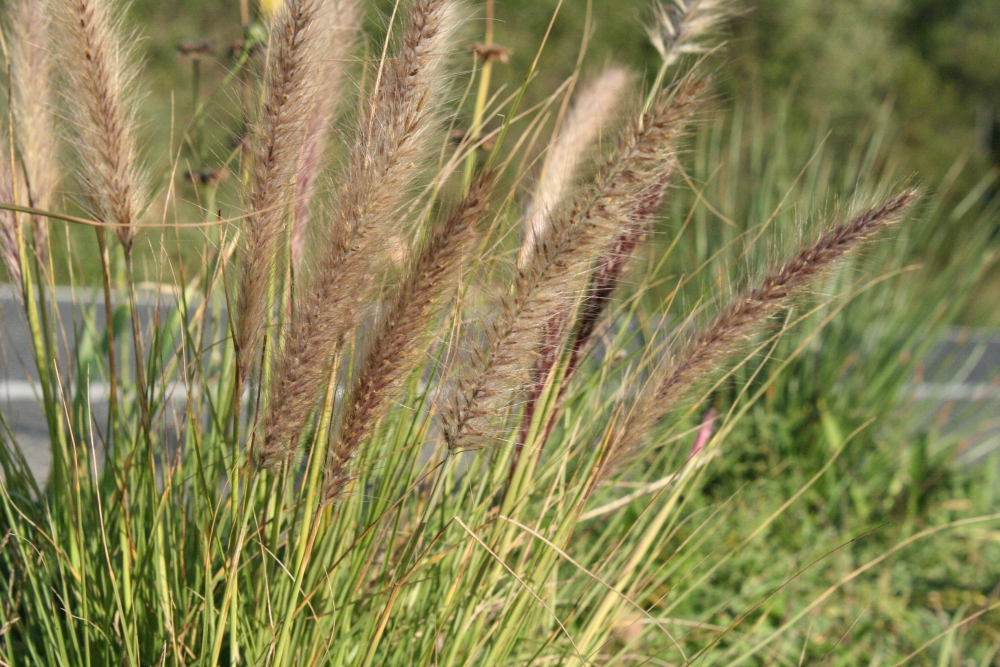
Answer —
593 110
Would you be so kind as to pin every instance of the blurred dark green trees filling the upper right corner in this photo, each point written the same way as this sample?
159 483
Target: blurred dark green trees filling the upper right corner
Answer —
936 63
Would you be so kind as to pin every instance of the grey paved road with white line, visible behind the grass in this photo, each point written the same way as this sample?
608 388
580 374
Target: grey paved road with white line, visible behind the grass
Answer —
958 387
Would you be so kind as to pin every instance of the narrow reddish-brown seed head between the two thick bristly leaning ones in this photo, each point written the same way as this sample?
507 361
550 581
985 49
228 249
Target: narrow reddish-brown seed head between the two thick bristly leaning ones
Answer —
394 351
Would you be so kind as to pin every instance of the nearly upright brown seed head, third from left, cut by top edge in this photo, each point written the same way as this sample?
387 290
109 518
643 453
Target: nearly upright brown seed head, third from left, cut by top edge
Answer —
301 34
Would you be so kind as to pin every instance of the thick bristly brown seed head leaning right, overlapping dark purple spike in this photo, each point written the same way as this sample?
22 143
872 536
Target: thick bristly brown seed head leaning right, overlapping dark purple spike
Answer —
568 248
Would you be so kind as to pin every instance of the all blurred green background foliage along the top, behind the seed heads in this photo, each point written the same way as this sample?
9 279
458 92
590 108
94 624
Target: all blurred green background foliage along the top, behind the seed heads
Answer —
935 64
